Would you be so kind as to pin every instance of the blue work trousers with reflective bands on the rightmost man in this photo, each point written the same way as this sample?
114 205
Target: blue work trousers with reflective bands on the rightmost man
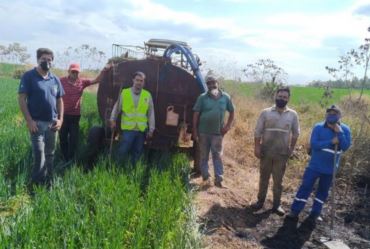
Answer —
309 178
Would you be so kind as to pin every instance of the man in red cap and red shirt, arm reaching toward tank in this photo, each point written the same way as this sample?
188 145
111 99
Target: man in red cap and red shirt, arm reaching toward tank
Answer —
73 87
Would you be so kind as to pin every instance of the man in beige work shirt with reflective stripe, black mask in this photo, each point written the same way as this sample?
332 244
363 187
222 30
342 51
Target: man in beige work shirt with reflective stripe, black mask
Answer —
276 134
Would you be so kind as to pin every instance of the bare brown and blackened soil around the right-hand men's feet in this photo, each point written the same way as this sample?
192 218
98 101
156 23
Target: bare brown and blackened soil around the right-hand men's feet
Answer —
227 221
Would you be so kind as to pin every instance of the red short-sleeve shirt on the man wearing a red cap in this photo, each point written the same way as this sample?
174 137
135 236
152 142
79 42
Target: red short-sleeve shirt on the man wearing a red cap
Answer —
73 95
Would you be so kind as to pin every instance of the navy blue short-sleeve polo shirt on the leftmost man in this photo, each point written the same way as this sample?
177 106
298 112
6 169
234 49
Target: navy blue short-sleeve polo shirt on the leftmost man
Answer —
42 94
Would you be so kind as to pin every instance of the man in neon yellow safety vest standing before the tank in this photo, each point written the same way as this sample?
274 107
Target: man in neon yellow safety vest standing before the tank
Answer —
137 120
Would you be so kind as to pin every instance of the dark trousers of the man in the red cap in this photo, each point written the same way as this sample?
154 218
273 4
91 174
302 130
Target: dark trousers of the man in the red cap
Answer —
68 136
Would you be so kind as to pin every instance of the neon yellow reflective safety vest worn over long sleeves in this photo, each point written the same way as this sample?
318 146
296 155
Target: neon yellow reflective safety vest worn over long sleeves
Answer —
134 118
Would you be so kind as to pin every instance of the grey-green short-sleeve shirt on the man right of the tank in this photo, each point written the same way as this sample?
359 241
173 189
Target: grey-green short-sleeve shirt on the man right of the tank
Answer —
212 112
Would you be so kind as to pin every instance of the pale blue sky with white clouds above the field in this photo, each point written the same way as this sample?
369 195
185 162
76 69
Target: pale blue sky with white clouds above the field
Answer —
300 36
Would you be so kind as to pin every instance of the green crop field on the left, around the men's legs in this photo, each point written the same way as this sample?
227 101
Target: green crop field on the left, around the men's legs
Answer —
109 207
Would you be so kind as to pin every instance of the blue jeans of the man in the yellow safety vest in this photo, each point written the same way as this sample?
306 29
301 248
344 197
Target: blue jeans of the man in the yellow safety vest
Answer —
132 144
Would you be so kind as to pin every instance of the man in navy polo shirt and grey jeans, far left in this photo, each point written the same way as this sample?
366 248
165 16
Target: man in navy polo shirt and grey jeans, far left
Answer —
40 101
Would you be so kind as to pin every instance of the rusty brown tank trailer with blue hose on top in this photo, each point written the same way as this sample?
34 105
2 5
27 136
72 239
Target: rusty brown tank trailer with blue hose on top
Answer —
174 80
